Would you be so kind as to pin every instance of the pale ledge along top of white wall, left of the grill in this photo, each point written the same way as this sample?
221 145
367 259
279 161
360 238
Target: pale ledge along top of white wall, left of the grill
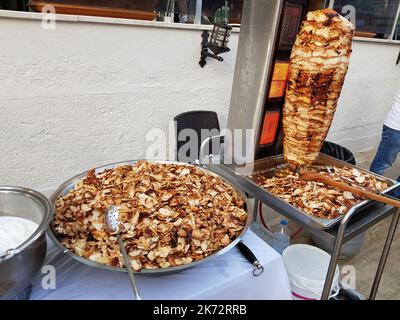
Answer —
103 20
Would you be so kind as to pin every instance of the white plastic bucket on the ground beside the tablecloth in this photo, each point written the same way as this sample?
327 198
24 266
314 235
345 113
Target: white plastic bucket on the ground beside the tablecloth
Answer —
307 267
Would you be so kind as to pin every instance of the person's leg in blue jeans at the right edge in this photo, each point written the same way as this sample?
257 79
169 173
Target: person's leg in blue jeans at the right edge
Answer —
387 151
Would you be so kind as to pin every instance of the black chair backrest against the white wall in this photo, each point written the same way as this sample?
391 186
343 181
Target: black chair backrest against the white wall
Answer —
196 125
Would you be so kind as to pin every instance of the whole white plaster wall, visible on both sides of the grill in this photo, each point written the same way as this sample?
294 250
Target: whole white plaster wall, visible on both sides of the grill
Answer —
86 94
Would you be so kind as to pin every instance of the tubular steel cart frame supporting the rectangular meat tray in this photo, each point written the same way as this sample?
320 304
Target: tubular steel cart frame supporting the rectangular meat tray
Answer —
358 220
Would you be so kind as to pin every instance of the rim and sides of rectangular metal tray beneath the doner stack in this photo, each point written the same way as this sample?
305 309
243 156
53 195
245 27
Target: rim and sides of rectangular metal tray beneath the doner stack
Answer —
244 175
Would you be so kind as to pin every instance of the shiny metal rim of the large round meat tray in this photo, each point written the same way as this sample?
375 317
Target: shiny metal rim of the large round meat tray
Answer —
69 184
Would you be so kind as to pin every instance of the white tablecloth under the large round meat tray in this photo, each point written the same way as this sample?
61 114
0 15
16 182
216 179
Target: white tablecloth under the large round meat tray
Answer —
226 277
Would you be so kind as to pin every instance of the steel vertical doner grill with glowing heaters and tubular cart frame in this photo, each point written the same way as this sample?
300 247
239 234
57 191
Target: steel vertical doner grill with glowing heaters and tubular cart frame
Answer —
268 31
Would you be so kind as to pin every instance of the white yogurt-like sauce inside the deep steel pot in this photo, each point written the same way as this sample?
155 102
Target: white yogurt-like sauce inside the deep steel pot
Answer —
14 231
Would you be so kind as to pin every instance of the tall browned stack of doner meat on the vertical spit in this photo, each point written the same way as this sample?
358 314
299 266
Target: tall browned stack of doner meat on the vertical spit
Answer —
318 66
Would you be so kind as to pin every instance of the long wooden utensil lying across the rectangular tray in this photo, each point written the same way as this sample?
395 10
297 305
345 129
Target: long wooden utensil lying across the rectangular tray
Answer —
318 177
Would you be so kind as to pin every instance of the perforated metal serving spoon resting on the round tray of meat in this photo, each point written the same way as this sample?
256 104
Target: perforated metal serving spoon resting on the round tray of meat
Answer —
112 226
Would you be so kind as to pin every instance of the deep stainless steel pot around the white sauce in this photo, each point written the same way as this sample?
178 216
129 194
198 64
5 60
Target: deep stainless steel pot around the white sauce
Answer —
19 265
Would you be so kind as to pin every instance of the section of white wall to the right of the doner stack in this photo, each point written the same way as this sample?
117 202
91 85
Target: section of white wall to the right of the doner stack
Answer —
368 93
